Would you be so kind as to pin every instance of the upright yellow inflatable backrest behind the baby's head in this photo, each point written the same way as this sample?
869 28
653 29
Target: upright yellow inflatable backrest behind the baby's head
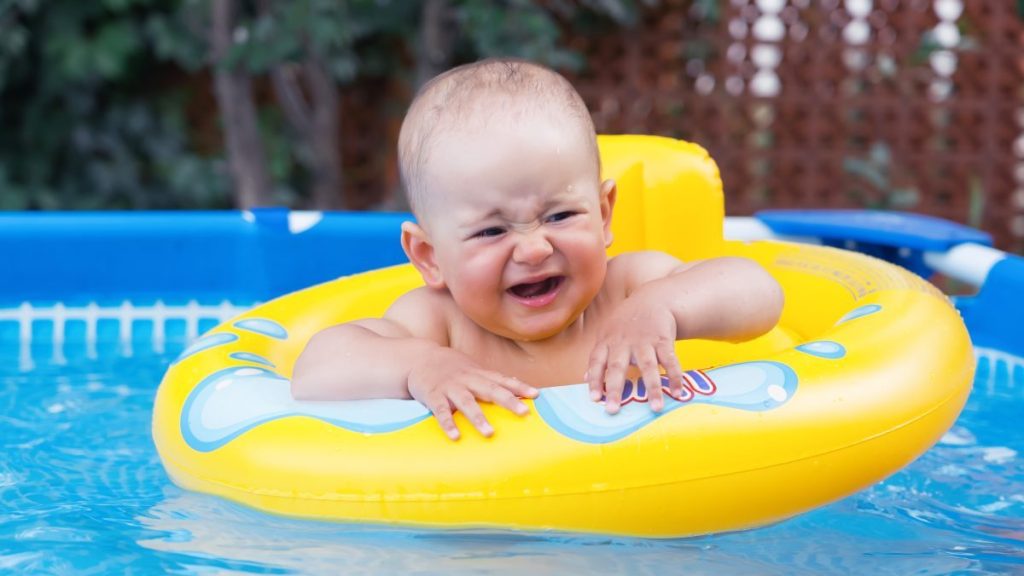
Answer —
670 196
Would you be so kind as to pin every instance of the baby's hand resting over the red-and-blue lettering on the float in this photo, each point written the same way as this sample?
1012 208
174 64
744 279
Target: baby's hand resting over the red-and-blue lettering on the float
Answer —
639 334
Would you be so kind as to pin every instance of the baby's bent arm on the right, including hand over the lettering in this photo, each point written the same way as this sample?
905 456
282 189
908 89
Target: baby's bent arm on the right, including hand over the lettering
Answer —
726 299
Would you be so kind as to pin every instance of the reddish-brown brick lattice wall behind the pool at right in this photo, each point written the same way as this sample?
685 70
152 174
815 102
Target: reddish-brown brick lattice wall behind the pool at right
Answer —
904 105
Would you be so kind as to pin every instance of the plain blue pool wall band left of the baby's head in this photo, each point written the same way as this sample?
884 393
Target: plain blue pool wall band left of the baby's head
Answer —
239 257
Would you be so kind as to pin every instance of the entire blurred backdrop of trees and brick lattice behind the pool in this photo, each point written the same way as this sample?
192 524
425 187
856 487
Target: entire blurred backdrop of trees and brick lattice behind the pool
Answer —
908 105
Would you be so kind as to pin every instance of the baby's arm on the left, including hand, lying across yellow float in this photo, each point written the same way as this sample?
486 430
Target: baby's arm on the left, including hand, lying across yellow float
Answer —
400 356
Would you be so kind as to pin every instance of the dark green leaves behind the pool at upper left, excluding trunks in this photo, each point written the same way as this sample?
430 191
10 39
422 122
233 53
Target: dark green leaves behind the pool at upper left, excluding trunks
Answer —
95 95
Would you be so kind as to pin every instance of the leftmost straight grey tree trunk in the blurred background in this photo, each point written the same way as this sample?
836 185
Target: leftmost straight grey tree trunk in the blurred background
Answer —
233 88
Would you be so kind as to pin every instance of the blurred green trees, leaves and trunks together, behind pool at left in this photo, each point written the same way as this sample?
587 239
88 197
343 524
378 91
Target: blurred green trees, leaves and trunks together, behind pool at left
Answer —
113 104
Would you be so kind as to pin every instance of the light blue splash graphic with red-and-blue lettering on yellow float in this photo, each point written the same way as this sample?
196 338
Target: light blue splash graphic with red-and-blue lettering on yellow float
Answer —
752 386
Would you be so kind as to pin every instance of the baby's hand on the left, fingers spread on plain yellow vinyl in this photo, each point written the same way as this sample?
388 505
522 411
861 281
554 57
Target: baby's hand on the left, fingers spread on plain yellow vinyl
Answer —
450 381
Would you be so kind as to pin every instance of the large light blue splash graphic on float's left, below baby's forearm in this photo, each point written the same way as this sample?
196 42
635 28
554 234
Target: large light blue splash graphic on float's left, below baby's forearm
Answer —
236 400
